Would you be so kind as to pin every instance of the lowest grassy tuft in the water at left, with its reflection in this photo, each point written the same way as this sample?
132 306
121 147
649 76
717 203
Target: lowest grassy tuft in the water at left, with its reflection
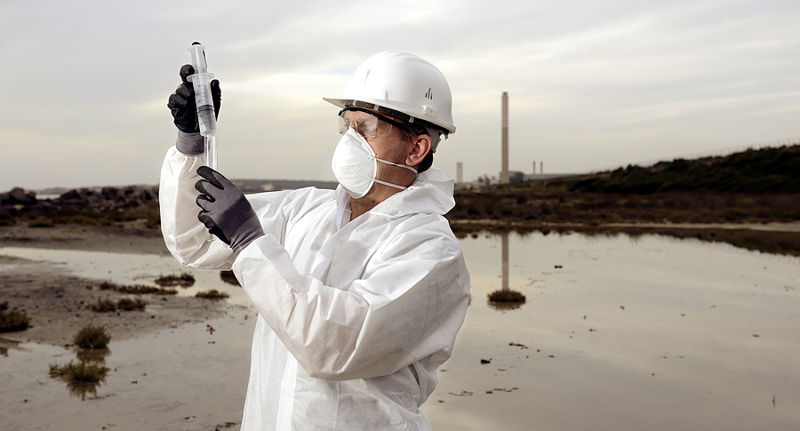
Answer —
87 375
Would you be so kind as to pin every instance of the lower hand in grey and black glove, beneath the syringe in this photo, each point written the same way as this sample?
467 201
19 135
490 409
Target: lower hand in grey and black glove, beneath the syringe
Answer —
225 211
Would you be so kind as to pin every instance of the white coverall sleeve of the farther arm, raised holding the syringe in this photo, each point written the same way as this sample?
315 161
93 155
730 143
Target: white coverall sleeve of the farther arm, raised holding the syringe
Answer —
186 238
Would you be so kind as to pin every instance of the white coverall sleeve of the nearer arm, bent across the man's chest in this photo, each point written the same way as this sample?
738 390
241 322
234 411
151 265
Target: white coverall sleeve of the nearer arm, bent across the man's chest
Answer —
408 306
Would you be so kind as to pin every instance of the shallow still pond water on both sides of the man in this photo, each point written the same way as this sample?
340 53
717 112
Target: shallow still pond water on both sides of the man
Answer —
615 334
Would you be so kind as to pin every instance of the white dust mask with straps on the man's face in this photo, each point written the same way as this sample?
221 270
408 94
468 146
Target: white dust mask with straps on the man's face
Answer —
355 165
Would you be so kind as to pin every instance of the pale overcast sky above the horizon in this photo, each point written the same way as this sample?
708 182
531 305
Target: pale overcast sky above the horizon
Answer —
592 84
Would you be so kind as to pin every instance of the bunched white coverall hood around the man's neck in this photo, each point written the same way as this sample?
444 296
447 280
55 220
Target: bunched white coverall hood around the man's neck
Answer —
430 193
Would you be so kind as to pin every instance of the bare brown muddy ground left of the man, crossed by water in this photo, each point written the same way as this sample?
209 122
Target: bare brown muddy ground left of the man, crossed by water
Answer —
57 303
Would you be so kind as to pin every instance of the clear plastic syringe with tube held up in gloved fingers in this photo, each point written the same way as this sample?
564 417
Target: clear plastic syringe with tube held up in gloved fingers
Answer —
201 81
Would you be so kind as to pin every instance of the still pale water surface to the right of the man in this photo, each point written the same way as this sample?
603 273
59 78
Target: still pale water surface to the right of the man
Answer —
652 333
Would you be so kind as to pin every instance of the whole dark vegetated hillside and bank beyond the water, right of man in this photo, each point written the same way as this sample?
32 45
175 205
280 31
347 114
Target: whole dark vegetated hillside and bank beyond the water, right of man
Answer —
753 186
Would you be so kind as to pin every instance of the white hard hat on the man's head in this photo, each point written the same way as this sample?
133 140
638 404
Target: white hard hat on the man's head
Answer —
403 83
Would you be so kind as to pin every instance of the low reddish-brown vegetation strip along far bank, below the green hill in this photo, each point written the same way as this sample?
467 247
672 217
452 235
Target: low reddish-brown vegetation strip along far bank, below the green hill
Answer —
539 203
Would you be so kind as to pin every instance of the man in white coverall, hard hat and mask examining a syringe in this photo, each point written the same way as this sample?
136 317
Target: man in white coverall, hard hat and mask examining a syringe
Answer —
360 291
